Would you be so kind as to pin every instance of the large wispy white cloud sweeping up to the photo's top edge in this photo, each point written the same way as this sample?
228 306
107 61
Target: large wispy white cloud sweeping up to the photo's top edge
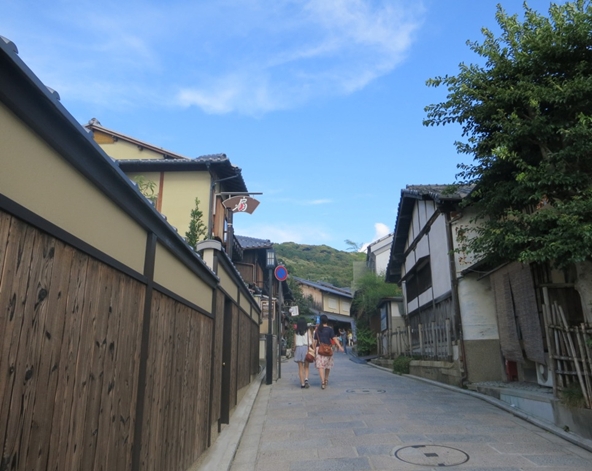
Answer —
329 48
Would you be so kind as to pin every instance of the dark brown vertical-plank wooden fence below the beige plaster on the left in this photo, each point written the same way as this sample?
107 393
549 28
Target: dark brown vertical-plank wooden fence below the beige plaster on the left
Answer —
71 394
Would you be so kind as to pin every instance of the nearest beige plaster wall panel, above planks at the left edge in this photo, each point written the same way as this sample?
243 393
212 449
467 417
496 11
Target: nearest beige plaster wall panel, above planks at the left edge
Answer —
38 178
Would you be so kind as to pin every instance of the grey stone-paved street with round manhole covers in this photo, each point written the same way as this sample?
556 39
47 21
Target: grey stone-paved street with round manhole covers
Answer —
370 419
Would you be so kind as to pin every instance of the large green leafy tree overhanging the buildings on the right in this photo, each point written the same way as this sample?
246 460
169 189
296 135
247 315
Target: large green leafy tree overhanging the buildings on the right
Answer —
526 115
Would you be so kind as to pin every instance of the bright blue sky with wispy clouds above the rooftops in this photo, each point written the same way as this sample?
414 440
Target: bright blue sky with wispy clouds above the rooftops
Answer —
319 102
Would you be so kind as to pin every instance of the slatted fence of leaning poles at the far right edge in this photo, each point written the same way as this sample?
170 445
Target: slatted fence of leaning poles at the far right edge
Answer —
570 351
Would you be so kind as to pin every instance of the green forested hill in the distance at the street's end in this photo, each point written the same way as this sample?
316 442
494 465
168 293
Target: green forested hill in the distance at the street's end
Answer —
319 262
